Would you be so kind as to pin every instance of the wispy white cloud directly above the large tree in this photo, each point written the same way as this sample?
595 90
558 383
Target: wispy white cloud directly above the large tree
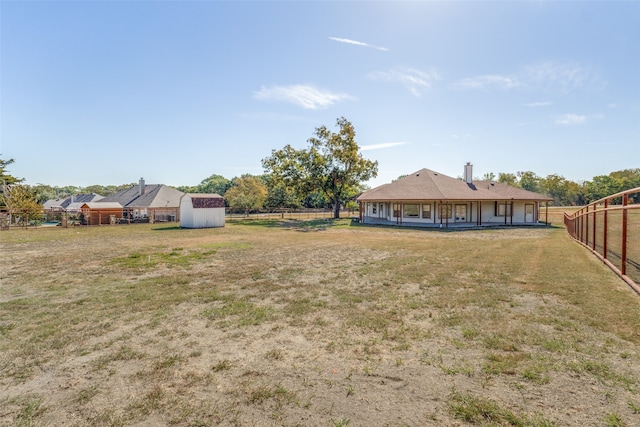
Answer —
308 97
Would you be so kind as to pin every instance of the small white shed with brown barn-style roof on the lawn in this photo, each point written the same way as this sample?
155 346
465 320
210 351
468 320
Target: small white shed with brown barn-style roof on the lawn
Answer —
201 210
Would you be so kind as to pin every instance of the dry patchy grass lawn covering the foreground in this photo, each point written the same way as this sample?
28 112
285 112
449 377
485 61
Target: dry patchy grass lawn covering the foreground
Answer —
315 322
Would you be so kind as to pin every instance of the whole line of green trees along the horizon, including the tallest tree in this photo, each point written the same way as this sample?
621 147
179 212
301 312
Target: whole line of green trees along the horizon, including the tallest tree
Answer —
328 174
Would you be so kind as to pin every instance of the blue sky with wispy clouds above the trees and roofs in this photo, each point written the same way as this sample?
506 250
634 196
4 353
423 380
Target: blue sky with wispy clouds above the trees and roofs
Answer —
106 92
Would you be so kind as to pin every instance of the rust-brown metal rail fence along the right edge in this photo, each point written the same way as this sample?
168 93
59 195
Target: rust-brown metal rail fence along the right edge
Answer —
610 228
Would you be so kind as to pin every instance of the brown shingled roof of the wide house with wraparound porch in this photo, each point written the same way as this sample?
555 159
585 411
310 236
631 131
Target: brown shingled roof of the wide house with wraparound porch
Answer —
426 184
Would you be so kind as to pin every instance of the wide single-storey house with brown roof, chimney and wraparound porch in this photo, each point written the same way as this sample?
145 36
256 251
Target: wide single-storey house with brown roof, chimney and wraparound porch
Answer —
428 198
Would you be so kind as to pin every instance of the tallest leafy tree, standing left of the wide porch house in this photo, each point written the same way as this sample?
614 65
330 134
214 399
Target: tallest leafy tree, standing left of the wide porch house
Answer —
331 165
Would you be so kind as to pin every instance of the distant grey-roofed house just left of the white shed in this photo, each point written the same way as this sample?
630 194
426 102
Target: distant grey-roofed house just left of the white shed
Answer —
148 202
